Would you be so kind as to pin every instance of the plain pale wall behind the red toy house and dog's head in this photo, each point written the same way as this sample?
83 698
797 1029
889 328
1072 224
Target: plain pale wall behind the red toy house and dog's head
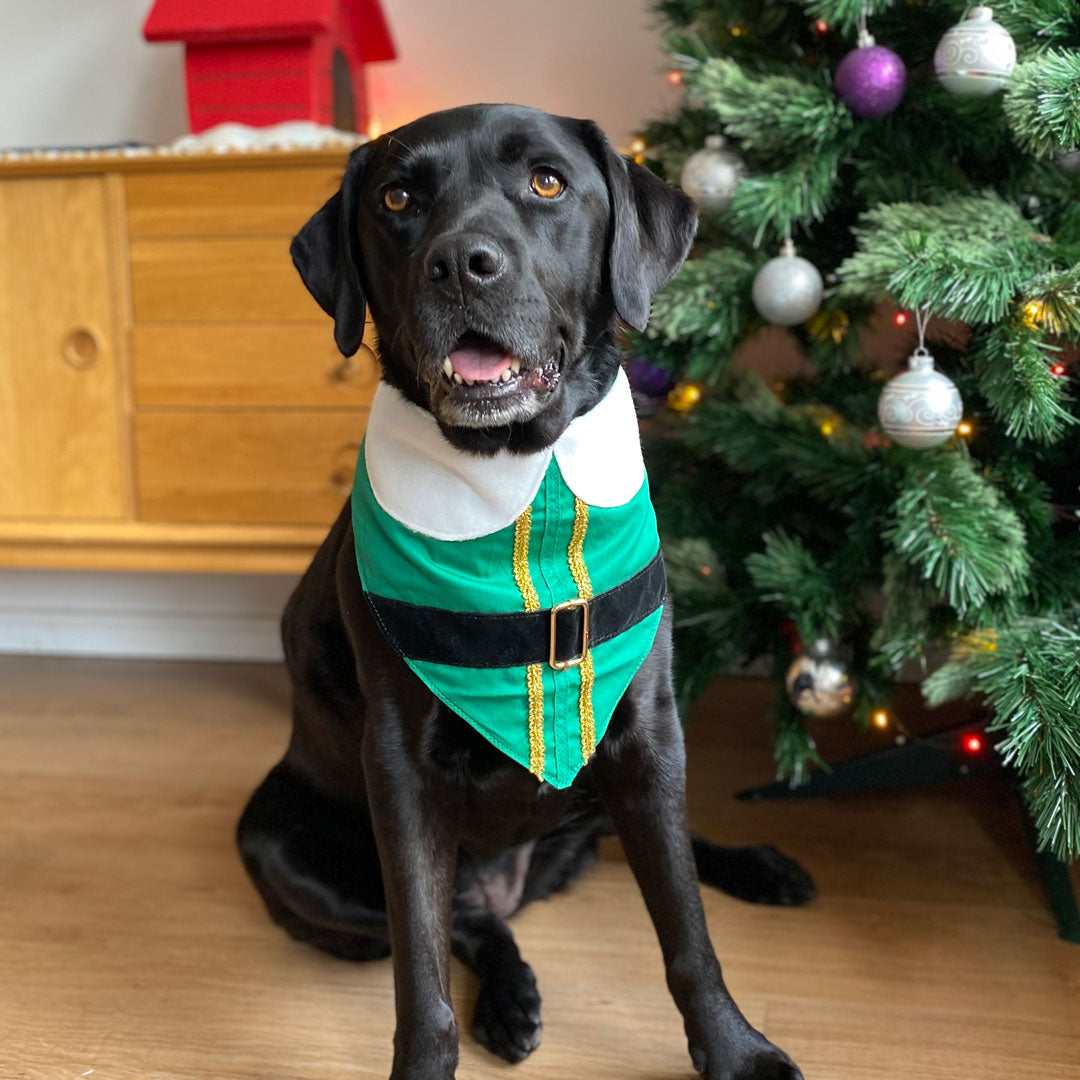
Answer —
78 73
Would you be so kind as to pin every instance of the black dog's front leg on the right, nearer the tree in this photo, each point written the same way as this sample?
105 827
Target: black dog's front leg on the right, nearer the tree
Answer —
641 775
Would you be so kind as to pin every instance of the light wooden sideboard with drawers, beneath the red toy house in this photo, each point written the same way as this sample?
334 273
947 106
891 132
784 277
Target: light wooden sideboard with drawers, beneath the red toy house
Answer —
170 395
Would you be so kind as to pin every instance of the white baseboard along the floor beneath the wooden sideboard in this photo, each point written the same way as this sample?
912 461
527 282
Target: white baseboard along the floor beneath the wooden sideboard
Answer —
163 616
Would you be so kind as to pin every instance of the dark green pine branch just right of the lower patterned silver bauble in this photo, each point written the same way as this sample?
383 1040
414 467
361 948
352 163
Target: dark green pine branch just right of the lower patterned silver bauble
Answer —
1014 368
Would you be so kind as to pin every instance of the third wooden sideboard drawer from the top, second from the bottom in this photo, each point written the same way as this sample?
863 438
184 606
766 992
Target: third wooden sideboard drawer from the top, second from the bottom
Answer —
293 364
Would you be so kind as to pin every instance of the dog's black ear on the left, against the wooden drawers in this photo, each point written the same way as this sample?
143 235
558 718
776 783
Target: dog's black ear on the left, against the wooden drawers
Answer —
327 253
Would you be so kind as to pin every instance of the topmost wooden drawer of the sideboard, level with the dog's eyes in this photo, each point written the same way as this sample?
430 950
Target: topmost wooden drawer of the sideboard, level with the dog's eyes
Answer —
227 202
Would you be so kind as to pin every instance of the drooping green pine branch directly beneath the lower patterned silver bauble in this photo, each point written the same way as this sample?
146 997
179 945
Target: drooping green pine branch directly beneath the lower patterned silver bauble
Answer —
954 528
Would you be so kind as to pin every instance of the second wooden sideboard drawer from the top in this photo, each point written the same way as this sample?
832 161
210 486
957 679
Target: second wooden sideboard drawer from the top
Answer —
239 279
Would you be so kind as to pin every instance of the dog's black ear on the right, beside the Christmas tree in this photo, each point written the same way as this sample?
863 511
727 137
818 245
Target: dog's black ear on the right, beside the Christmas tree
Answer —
652 228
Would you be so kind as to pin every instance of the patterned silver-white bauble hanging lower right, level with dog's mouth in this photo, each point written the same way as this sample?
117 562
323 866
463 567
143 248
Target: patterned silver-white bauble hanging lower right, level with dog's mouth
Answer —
921 408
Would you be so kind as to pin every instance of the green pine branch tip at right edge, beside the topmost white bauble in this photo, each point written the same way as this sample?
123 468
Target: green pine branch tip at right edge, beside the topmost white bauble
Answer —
1043 103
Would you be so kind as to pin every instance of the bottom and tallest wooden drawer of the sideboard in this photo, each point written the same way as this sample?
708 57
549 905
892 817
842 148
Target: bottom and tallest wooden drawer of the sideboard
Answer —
236 467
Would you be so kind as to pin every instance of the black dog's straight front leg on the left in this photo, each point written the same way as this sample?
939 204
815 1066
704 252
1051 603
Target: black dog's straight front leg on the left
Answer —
417 826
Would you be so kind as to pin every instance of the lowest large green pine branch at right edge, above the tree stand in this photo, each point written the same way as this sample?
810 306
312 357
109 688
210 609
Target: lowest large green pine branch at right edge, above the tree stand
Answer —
1030 676
